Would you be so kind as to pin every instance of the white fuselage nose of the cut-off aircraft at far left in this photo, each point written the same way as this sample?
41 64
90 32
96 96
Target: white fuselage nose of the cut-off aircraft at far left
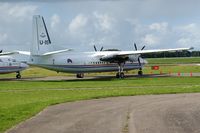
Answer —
10 65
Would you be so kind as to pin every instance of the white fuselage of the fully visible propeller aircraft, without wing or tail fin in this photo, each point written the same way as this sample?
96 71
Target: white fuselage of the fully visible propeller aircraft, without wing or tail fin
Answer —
82 62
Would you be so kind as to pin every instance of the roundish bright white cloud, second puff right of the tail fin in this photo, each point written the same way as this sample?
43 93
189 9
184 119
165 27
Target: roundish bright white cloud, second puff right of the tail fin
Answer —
78 23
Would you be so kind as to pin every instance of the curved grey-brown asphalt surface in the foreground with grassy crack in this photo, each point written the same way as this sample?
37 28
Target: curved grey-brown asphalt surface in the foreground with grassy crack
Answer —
176 113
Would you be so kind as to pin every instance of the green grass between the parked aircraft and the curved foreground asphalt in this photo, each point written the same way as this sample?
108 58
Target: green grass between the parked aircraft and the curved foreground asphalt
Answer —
22 99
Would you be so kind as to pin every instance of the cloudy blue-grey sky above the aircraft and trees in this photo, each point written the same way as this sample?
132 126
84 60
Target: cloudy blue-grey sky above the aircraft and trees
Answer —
80 24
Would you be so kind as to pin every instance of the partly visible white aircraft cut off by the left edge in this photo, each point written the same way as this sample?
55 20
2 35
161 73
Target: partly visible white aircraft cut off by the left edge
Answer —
8 64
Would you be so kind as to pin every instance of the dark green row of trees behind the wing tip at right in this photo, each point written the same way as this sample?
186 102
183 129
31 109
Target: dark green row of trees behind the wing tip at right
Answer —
173 54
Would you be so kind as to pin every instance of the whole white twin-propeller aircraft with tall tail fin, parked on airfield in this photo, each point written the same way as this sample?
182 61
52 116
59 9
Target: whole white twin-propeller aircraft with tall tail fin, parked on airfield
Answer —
83 62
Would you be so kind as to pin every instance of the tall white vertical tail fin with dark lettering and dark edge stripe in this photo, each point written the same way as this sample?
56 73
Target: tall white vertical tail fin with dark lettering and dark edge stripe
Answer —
41 42
